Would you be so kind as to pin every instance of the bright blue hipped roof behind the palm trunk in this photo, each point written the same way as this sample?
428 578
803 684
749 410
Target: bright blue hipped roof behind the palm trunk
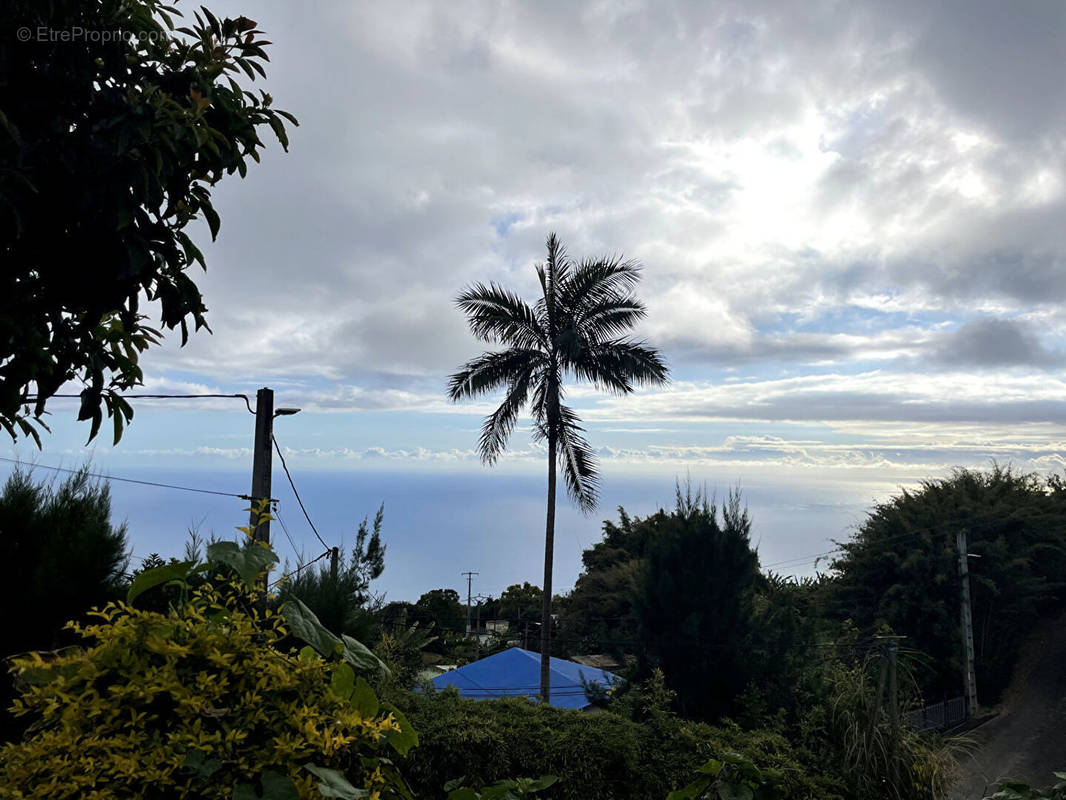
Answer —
516 673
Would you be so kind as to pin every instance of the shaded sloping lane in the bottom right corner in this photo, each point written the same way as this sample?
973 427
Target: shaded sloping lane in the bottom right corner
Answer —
1028 740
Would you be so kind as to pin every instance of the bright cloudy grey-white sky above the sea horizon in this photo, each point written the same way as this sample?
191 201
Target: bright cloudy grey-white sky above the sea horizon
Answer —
860 205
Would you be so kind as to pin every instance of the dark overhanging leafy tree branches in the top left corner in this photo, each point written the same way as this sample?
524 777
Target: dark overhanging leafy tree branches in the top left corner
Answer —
109 149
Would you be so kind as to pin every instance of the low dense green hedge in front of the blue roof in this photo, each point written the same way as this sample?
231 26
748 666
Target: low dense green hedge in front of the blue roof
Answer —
595 756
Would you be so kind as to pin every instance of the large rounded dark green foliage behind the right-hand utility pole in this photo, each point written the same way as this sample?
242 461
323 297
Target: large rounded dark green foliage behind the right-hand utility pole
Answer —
901 570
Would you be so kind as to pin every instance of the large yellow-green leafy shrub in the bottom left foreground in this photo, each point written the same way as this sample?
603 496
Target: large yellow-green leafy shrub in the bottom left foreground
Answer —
199 702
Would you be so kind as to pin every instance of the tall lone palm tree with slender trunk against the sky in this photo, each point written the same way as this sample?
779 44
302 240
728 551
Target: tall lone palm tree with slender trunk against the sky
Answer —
576 329
